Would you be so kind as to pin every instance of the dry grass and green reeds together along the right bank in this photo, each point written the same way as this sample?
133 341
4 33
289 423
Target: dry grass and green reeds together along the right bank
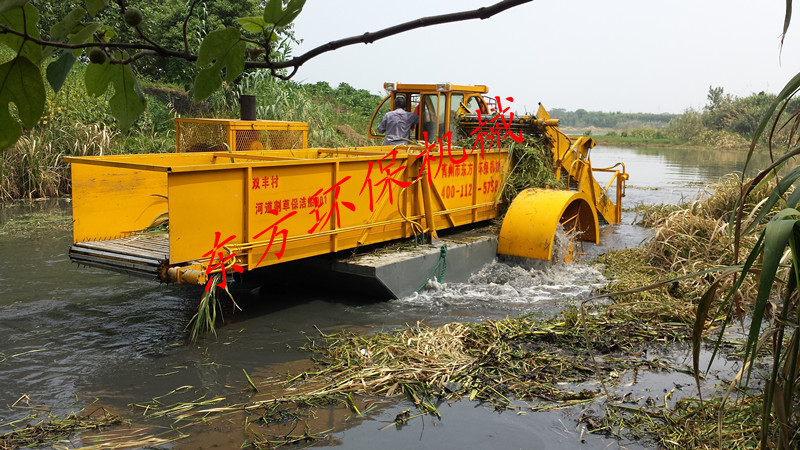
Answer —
746 262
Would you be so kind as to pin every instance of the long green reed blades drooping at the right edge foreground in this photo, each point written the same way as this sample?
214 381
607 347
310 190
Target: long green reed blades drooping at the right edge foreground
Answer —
775 258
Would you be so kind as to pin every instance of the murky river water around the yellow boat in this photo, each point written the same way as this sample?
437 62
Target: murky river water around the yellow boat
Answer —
72 337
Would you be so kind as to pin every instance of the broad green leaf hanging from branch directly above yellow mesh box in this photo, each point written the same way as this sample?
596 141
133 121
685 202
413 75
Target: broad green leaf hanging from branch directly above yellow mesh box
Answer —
223 50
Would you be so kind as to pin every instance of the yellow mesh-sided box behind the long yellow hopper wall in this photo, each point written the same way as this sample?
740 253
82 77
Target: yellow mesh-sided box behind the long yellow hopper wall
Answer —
210 135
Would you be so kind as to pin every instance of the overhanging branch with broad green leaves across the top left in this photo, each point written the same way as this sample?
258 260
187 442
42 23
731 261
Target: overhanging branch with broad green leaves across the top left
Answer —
117 42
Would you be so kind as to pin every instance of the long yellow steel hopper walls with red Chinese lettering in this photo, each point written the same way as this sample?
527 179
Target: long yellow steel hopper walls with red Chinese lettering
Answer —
281 205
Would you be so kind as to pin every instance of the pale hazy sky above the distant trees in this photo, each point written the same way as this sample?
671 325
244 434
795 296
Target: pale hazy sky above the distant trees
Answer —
610 55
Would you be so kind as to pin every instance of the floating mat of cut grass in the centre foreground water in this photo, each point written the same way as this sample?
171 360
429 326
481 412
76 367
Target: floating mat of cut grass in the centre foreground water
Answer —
493 361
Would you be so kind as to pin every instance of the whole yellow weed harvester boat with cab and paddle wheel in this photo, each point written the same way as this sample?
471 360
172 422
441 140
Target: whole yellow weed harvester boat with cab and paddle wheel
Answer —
239 195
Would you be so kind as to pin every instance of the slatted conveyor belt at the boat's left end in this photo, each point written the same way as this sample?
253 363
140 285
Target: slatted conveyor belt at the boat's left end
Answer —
140 255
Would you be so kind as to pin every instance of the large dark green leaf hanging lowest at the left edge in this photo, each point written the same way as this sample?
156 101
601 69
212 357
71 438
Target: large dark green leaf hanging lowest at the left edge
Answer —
21 83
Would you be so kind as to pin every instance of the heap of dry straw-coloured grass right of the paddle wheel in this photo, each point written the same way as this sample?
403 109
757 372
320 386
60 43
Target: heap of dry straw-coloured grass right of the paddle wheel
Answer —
693 238
